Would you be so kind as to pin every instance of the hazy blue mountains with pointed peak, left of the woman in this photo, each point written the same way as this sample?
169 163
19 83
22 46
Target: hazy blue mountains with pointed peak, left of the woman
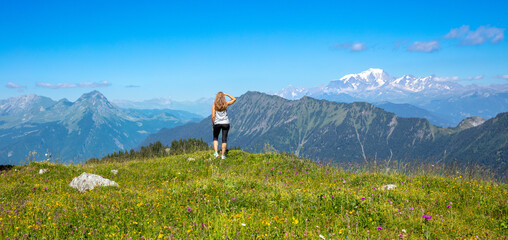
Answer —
76 131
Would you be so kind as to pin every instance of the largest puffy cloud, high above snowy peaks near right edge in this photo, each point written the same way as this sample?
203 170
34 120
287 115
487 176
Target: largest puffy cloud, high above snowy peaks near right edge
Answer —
479 36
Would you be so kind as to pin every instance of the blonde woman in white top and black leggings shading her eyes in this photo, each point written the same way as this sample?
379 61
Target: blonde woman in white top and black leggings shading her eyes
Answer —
220 121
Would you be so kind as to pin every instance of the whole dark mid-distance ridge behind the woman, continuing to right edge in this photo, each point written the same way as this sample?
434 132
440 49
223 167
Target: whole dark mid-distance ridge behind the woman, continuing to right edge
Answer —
329 131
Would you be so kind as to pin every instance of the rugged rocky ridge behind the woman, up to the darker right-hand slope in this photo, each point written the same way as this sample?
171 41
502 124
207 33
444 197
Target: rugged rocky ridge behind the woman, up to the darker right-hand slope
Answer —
313 128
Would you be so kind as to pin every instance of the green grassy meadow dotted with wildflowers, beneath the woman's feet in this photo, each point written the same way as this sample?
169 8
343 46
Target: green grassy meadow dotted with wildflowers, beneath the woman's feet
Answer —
247 196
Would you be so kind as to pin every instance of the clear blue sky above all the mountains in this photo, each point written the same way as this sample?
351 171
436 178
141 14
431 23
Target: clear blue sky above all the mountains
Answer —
187 50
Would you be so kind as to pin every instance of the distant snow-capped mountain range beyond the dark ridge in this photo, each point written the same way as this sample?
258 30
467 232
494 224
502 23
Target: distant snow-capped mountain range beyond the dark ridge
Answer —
448 101
